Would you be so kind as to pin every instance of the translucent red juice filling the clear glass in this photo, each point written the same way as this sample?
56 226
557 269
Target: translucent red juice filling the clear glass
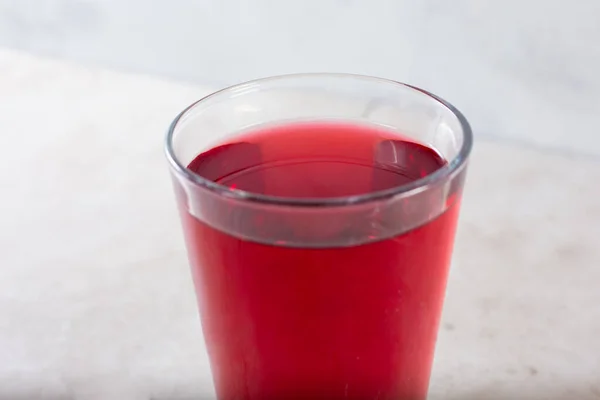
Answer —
286 321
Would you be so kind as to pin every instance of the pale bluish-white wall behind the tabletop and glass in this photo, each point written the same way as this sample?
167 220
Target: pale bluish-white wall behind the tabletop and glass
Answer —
522 70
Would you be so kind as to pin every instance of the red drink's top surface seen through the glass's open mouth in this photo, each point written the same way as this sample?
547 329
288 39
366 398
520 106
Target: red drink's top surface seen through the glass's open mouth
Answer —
317 161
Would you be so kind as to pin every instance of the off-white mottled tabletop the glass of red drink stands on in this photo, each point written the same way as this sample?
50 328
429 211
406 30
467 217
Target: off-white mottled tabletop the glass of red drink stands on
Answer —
96 300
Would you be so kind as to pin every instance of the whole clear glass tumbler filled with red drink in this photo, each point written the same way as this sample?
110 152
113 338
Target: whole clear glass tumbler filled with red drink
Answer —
319 213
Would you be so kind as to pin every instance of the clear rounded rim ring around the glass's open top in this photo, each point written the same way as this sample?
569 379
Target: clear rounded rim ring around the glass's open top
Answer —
418 185
